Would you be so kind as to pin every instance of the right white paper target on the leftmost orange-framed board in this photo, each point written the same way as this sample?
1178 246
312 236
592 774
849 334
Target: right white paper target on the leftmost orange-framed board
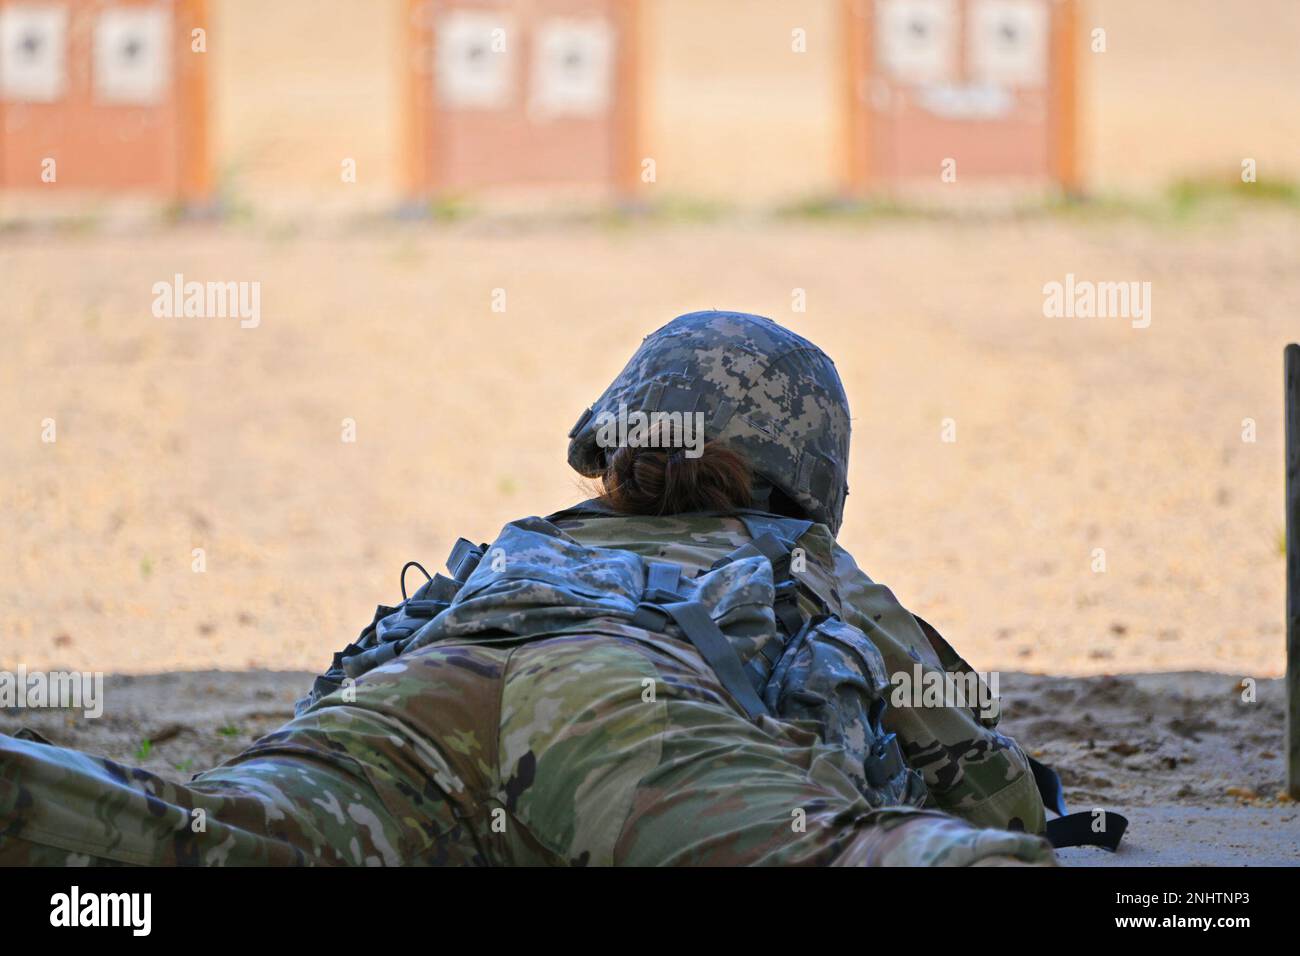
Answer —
133 55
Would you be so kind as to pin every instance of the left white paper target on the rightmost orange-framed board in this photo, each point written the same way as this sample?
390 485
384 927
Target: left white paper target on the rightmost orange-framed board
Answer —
917 41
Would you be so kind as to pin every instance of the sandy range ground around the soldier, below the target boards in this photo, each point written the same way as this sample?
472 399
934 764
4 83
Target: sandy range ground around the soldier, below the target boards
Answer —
1160 447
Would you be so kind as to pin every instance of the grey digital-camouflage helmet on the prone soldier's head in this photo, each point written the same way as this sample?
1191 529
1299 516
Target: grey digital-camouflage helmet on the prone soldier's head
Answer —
762 392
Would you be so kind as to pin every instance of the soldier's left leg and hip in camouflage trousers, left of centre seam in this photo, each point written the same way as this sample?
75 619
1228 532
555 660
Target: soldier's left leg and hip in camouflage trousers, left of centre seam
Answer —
372 776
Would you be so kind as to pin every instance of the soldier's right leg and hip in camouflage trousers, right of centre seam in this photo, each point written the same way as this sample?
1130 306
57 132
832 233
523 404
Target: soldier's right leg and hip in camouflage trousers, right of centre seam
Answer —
627 754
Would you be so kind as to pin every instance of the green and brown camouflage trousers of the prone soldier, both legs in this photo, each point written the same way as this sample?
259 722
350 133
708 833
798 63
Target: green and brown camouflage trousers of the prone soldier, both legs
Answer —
588 750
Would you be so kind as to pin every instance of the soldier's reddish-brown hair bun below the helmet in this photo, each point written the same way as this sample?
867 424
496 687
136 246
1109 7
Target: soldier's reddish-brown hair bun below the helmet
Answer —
665 482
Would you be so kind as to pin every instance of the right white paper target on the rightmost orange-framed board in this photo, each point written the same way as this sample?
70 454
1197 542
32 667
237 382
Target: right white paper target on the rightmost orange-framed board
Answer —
1008 42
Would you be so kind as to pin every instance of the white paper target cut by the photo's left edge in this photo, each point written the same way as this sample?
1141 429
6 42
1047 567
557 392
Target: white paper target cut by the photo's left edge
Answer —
33 53
